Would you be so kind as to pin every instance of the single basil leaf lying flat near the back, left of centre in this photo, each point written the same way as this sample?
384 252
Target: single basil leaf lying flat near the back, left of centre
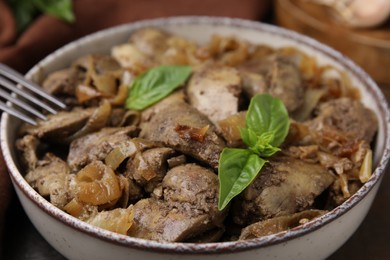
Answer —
155 84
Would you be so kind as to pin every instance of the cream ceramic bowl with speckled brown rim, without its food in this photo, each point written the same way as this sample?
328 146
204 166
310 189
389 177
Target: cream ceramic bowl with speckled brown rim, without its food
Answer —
314 240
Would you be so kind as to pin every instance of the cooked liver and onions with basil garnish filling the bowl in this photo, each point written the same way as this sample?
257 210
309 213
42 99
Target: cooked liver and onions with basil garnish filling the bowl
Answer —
150 170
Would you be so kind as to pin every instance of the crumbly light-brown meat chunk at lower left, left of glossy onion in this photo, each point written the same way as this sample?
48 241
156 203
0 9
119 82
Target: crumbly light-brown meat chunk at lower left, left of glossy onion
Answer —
50 178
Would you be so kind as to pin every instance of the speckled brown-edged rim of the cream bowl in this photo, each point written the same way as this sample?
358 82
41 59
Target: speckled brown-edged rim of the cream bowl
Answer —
217 247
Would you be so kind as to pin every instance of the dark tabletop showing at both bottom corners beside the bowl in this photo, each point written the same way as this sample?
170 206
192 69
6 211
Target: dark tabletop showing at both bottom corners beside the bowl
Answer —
370 241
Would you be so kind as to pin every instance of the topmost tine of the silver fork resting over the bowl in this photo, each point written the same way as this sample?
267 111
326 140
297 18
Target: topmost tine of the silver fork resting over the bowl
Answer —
17 77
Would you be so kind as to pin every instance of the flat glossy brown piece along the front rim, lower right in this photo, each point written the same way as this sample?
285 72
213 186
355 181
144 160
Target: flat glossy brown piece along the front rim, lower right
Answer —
279 224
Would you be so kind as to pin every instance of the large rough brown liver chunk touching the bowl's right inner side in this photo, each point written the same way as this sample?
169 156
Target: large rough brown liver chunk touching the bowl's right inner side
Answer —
348 116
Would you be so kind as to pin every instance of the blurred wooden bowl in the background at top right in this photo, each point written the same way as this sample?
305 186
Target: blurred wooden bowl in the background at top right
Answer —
370 48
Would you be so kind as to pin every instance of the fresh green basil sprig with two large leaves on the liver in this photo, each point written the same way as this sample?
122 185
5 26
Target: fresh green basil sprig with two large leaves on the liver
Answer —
267 125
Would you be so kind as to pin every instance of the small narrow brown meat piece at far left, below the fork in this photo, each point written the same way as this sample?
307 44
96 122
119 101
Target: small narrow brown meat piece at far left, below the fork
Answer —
28 145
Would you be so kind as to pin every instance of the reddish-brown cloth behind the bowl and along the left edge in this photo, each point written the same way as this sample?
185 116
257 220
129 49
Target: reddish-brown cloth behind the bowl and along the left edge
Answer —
47 33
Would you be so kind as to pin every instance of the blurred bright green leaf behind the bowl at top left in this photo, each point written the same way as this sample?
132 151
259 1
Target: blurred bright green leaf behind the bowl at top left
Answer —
61 9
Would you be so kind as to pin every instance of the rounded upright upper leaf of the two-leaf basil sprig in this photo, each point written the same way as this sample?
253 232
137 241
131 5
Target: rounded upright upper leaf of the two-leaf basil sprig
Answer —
268 114
